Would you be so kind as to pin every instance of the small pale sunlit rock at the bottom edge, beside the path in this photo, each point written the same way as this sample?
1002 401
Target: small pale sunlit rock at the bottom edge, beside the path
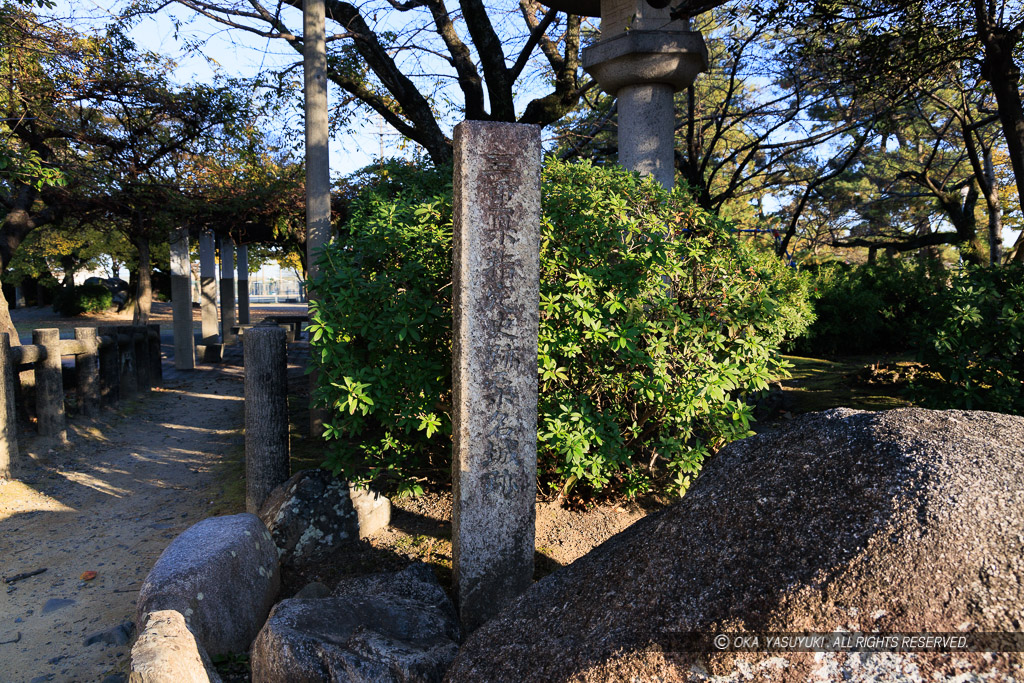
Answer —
167 652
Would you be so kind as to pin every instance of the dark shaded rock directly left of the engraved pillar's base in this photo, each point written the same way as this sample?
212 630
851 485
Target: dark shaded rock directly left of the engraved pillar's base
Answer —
391 627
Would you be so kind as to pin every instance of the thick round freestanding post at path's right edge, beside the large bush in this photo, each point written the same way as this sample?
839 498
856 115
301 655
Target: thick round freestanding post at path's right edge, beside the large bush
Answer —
267 413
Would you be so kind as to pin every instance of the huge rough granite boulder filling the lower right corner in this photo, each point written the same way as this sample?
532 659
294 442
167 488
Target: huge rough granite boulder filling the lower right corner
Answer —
903 522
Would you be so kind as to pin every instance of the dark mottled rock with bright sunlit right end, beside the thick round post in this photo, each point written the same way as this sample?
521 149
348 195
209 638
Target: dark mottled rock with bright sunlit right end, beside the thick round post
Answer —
315 514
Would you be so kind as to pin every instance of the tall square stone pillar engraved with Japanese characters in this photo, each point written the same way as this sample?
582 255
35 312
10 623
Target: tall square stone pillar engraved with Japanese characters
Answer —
496 288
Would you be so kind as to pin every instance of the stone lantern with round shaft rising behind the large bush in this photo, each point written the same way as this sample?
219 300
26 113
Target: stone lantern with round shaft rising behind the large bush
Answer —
643 58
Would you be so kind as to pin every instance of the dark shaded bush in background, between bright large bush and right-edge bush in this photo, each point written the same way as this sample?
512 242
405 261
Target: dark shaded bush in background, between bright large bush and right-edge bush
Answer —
884 307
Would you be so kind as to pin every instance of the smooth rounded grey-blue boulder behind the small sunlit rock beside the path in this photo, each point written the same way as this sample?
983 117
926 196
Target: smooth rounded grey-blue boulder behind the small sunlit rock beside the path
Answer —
223 576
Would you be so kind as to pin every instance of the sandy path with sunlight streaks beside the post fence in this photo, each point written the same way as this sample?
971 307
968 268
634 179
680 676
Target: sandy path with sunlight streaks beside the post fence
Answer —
110 503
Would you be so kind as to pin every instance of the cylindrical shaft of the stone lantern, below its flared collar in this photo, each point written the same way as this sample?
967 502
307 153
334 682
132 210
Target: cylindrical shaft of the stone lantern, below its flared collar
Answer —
648 131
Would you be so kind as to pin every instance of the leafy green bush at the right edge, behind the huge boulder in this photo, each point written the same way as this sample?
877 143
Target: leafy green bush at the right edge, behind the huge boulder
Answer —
978 349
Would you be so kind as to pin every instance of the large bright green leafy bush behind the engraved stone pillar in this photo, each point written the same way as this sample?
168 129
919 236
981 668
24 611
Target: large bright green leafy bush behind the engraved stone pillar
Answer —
639 381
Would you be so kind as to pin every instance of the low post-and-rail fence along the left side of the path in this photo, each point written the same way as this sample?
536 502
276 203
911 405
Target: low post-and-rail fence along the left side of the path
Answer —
112 364
